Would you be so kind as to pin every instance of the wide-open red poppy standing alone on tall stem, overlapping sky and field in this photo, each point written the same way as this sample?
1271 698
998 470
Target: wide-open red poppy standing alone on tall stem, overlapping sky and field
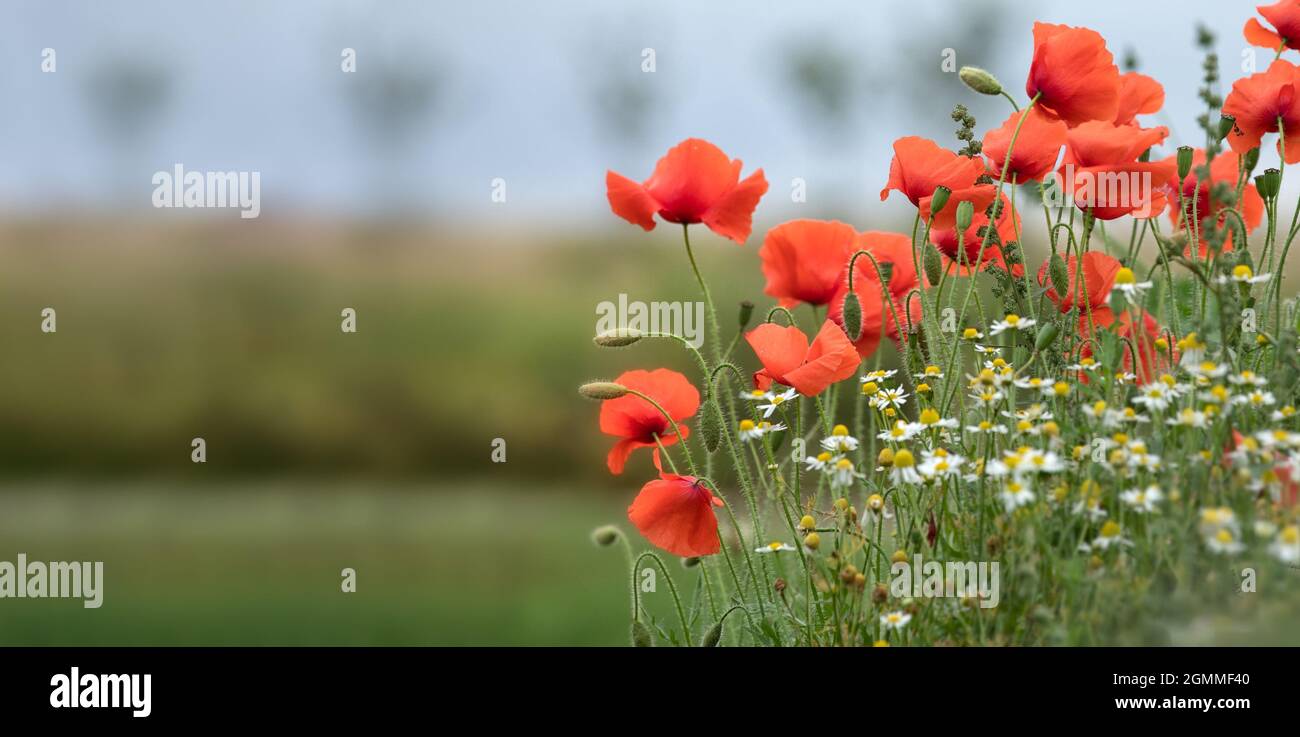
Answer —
695 183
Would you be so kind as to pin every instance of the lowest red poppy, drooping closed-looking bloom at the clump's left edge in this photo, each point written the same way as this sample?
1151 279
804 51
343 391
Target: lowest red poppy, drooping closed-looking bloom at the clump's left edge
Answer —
677 514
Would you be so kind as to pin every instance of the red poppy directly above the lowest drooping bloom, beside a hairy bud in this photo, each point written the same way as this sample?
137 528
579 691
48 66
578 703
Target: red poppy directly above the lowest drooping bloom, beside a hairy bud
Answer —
638 422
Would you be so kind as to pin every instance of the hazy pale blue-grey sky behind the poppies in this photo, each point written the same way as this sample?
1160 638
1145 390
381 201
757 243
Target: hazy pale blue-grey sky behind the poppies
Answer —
528 92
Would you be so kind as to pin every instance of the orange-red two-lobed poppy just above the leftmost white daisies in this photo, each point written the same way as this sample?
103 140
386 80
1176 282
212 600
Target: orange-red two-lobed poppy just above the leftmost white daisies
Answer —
788 359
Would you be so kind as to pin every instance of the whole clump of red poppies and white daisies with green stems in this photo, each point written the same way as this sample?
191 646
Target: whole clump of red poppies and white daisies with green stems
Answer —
1113 431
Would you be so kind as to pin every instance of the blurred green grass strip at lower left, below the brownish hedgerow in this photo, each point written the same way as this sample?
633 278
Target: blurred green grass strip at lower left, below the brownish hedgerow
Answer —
259 565
